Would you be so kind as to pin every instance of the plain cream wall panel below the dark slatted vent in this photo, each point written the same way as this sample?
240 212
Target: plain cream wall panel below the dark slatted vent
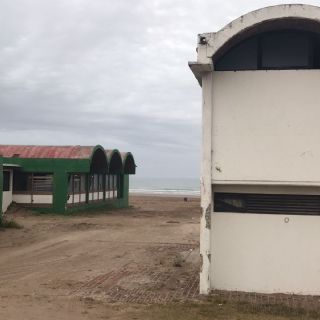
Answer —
266 253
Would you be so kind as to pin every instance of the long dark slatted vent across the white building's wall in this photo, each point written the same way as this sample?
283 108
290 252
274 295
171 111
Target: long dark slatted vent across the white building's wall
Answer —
267 203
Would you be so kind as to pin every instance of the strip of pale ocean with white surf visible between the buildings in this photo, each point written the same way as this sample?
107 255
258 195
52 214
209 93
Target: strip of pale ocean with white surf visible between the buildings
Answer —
165 186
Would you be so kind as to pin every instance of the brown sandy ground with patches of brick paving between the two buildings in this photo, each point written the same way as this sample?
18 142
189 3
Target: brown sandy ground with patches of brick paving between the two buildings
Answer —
99 265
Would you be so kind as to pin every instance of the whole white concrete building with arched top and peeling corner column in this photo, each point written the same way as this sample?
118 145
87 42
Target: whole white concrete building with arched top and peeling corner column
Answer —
260 181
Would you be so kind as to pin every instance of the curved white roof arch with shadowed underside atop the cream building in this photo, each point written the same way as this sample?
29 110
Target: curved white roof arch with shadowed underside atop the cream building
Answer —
291 16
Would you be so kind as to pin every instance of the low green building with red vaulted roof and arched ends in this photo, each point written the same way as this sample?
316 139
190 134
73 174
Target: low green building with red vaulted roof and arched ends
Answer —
64 178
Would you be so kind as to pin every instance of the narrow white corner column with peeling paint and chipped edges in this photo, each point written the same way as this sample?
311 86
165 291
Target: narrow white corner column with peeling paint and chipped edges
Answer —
205 185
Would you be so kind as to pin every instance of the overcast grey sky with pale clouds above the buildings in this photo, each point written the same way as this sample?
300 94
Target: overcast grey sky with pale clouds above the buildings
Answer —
108 72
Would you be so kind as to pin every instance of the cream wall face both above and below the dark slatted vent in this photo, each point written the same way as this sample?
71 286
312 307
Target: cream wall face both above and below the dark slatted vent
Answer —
265 131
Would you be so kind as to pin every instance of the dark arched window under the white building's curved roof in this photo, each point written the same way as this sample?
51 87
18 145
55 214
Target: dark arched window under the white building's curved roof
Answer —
286 49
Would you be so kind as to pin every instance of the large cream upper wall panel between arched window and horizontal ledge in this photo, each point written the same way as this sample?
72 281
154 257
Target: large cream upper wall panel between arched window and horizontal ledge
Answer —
266 126
